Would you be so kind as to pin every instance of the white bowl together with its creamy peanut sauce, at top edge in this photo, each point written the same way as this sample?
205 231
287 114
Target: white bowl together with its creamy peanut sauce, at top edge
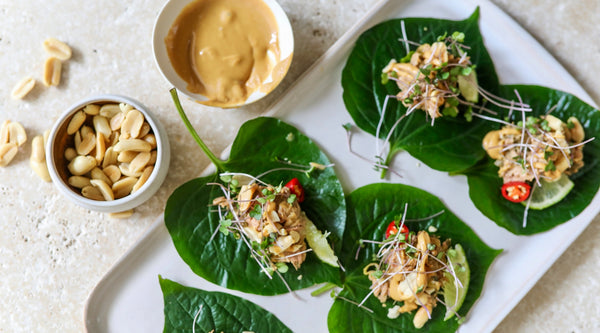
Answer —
223 53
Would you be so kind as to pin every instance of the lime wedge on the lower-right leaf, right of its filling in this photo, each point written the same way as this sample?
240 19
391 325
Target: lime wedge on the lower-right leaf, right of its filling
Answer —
454 293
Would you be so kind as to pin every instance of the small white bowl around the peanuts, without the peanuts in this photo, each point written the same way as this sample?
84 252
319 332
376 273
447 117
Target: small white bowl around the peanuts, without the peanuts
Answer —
57 163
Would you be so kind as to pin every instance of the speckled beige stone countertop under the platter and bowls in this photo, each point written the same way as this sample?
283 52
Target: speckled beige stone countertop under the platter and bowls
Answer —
52 252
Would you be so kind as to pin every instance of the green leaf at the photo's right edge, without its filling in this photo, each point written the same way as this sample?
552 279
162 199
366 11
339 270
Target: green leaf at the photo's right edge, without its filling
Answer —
485 184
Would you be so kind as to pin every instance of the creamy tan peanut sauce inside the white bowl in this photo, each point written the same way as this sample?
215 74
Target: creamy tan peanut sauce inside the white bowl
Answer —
226 49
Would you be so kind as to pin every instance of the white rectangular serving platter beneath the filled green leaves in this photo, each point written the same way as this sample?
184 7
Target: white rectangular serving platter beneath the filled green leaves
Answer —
129 299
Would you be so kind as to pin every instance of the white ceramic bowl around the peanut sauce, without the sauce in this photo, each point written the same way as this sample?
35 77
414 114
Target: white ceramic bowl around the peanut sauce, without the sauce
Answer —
165 20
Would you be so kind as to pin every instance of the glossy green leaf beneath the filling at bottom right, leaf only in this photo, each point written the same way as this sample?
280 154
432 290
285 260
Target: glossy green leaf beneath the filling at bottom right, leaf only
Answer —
370 209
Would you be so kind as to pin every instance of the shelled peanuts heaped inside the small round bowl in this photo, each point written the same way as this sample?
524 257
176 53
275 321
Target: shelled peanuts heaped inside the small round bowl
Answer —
113 152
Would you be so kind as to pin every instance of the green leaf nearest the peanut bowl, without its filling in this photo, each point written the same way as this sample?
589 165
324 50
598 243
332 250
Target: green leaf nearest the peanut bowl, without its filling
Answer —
261 145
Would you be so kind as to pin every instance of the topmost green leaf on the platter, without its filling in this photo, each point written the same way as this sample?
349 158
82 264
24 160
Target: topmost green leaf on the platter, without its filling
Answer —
446 146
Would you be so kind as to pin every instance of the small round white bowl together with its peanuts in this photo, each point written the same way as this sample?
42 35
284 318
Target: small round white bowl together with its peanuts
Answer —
108 153
